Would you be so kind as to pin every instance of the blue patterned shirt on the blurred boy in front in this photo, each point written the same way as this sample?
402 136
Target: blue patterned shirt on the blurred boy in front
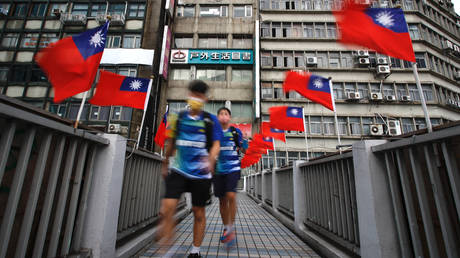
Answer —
191 159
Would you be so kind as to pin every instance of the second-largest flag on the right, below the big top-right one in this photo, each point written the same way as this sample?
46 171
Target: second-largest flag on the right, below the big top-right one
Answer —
312 87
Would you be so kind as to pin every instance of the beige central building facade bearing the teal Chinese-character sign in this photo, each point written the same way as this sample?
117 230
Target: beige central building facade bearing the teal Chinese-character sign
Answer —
214 42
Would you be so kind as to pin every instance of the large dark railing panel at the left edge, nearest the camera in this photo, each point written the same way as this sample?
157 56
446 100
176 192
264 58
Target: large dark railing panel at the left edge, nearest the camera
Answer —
46 168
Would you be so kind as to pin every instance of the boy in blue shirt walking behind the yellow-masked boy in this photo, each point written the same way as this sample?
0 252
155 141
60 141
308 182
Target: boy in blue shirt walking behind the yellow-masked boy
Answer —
227 174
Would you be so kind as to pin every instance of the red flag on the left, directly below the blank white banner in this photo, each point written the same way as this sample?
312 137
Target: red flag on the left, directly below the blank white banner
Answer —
117 90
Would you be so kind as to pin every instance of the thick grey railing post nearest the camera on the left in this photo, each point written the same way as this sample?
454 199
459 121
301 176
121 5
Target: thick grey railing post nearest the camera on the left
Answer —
100 229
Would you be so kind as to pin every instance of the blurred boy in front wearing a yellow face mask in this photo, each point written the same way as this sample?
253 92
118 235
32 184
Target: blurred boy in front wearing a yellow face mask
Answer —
194 135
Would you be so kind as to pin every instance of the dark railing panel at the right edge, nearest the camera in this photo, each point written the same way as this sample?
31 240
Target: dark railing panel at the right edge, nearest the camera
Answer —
424 181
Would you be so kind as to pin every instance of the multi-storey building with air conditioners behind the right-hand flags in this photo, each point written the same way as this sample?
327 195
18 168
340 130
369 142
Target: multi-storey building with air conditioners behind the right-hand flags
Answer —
376 96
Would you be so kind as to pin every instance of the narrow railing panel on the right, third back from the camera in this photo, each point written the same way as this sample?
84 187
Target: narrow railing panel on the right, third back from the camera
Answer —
285 190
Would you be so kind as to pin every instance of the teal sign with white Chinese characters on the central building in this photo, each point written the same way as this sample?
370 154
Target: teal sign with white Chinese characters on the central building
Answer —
212 56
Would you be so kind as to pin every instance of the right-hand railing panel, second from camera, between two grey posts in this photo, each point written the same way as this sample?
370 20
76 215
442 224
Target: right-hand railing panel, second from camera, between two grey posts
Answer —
331 199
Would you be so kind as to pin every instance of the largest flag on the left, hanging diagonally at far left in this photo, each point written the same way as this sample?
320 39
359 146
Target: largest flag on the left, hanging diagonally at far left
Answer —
71 63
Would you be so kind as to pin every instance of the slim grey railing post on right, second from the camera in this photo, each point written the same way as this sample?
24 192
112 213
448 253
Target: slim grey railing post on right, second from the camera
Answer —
299 191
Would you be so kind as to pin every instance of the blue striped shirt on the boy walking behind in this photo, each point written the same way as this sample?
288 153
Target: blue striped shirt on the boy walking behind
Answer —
229 161
